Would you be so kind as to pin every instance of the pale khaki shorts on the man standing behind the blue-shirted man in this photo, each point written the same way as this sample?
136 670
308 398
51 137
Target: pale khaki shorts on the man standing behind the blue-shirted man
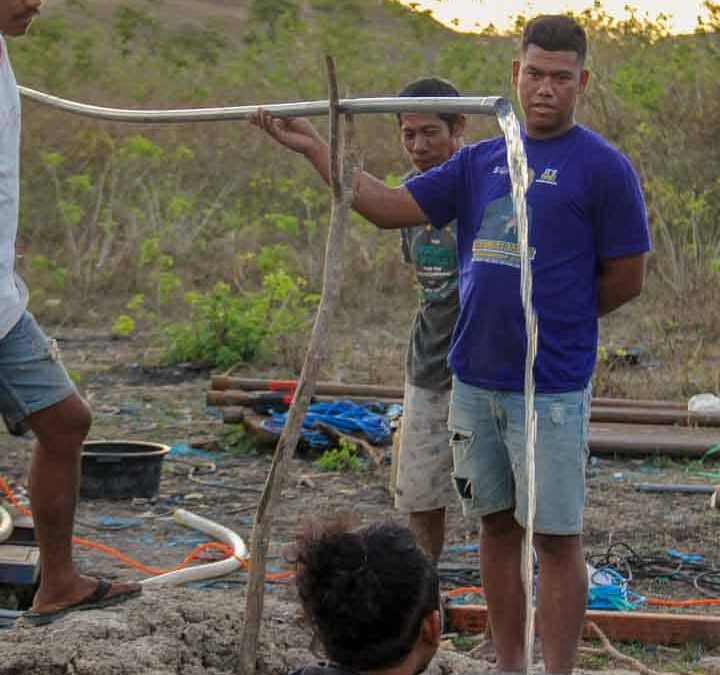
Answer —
424 477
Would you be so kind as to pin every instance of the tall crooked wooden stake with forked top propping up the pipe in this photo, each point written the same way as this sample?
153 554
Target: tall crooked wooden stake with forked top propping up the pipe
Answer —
343 159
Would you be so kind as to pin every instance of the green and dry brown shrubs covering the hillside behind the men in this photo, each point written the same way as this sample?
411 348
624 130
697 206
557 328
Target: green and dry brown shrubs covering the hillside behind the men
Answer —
209 239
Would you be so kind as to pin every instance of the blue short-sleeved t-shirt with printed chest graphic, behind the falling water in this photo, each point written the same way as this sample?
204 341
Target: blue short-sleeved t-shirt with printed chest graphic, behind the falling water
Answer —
584 204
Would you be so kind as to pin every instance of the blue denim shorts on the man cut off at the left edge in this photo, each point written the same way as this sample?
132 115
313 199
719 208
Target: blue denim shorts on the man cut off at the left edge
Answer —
32 376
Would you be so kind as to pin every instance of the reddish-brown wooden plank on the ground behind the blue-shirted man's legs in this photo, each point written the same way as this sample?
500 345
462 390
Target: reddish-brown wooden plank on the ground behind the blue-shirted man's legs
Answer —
646 627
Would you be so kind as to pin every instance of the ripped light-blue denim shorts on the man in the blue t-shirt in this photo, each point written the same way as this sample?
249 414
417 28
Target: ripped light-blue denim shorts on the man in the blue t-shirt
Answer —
489 453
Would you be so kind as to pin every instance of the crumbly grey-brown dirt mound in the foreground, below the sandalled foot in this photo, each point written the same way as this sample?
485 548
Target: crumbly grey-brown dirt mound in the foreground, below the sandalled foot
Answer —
164 632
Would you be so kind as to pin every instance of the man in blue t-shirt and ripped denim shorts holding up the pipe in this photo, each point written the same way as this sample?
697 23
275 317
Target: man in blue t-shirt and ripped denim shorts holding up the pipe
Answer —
588 237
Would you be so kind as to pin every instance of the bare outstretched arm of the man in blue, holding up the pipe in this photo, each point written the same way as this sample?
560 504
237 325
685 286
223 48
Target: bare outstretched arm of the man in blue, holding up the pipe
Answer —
384 206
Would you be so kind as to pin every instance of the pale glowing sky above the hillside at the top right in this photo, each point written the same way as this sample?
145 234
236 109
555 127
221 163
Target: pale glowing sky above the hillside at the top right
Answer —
474 14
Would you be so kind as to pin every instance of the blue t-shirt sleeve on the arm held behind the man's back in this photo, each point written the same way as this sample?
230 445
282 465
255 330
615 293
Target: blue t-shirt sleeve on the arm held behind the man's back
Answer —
621 226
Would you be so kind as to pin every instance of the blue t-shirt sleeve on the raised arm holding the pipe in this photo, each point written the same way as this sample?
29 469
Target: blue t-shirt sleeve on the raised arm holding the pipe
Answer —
435 191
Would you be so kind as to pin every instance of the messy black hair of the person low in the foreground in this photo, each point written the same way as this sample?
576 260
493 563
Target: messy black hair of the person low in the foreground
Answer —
365 591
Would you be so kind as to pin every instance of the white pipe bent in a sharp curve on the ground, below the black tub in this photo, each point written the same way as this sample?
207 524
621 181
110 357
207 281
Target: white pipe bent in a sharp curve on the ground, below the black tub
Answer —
209 570
